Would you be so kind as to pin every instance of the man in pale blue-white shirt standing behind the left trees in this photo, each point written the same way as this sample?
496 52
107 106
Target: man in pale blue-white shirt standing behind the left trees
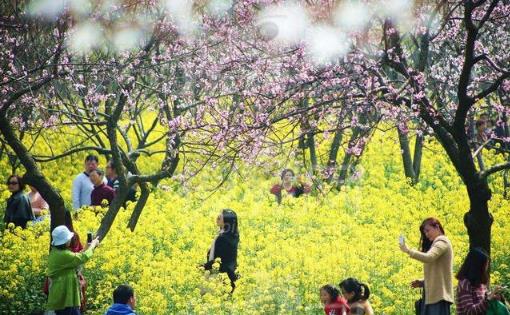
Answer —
82 186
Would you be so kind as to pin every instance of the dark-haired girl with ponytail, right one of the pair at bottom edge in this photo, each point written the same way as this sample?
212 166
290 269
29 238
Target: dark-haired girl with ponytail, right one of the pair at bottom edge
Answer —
357 295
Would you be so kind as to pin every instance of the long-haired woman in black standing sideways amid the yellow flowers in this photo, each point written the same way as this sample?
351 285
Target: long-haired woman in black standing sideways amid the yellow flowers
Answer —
225 245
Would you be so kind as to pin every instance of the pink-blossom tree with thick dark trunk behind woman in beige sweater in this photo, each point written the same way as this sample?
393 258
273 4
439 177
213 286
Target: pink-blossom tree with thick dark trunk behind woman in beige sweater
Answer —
458 66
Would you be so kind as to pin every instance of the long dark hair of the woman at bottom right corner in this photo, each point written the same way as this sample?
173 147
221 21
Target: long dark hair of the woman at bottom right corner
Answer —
475 268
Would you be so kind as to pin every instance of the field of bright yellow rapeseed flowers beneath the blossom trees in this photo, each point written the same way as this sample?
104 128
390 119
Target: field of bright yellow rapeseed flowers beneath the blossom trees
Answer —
286 251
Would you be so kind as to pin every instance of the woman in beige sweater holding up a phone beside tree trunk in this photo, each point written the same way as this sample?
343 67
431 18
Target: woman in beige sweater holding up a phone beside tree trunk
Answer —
436 254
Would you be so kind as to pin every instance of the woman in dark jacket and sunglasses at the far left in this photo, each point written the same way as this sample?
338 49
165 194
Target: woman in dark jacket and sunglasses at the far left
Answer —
18 210
